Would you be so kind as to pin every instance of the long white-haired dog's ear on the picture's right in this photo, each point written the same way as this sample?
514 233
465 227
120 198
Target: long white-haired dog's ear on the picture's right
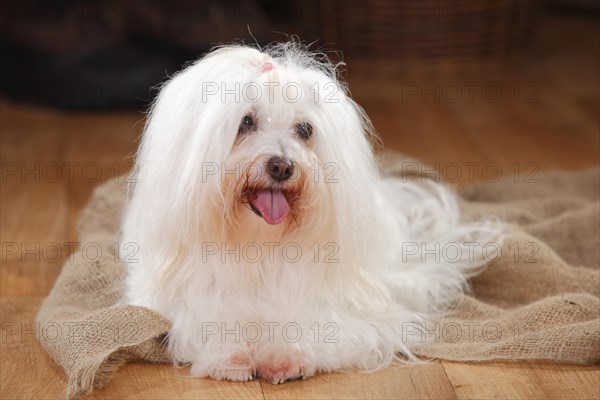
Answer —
347 174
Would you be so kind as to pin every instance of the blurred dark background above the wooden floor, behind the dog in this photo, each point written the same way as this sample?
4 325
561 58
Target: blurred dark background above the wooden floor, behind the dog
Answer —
97 55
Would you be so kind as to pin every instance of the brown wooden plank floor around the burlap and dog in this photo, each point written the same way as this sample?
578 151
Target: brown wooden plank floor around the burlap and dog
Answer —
560 129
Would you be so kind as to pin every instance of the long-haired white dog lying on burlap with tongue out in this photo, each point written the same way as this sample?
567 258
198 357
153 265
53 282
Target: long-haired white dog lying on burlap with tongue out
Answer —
268 236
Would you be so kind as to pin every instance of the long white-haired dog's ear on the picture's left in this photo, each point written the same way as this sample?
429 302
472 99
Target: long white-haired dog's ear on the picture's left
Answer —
187 129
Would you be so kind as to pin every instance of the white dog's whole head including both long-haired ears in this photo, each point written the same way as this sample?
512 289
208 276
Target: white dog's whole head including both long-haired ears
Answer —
268 139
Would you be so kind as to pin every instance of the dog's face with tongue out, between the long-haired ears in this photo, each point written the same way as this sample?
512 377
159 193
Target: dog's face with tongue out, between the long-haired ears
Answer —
274 150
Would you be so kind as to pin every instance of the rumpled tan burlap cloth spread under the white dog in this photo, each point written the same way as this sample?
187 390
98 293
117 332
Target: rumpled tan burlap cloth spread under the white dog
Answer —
539 301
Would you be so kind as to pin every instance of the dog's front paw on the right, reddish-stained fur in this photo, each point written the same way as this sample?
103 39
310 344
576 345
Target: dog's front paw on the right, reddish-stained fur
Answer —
278 368
